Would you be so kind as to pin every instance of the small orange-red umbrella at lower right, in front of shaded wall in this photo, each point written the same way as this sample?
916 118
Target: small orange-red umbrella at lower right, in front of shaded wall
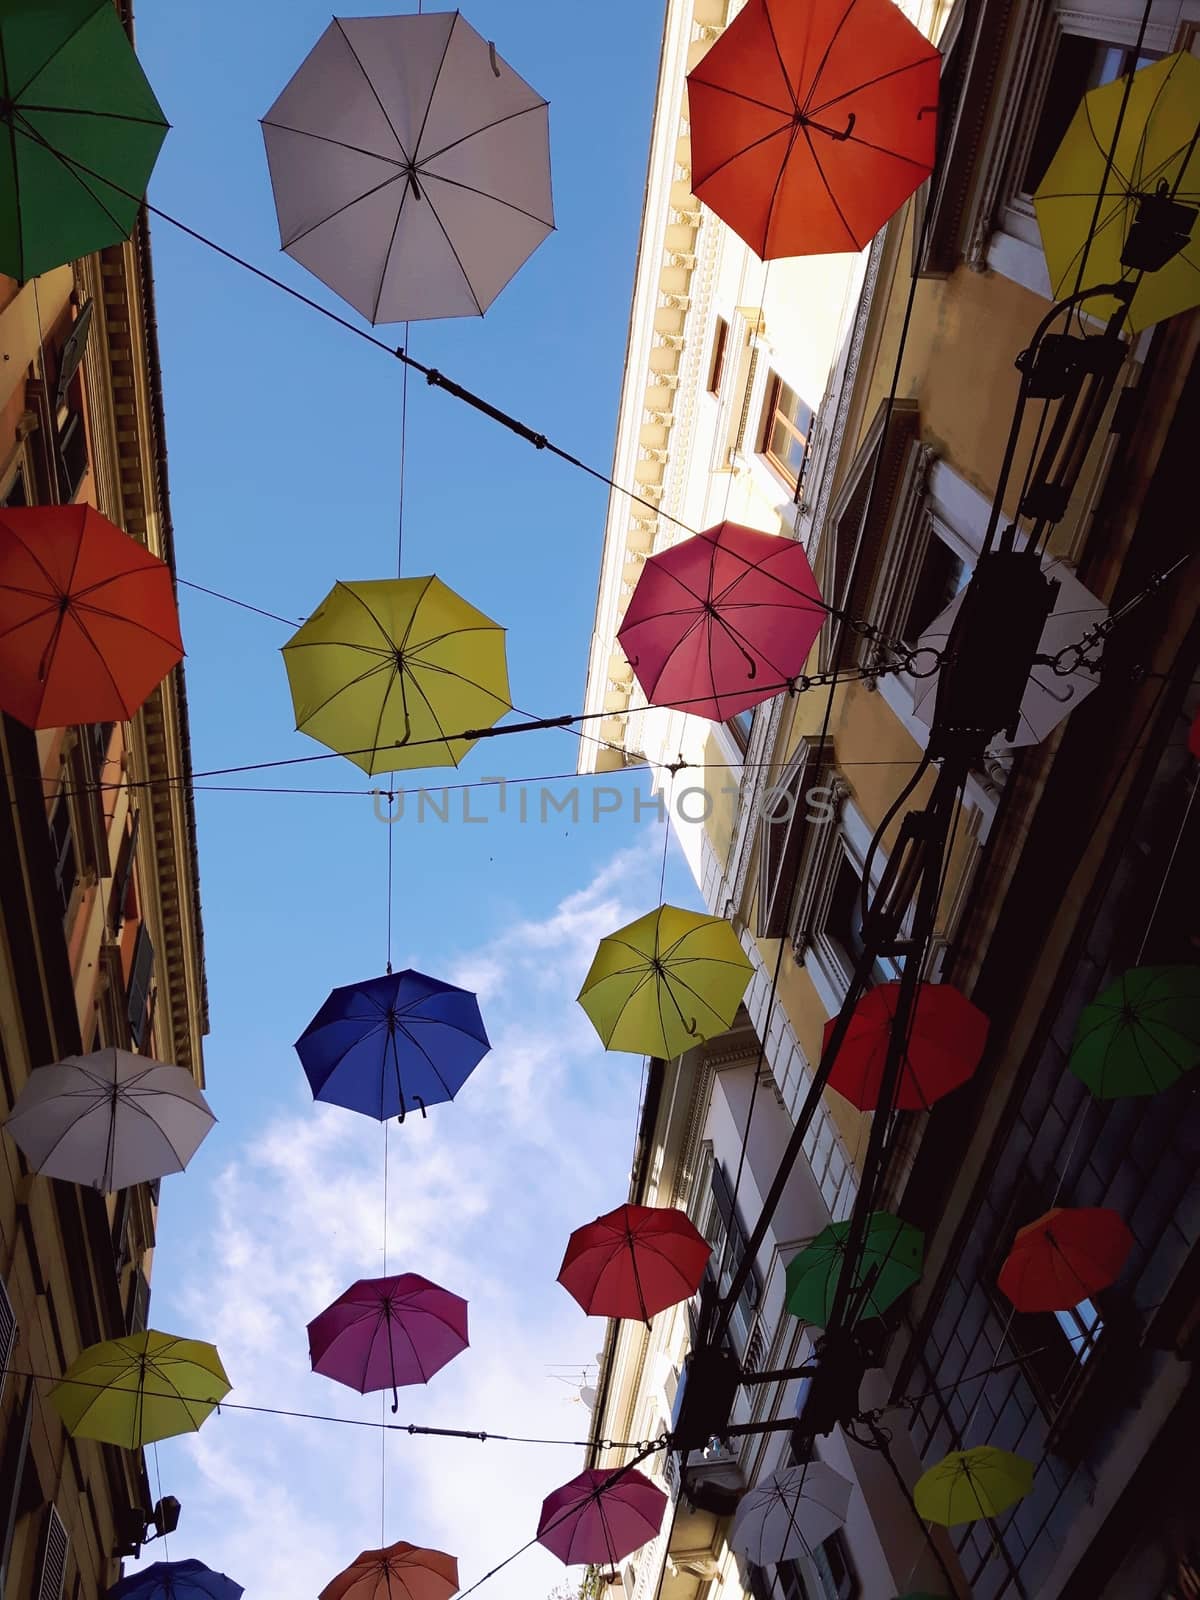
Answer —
1066 1257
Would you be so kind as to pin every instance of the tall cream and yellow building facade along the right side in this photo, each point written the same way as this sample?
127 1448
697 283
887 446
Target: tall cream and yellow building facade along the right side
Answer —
1070 862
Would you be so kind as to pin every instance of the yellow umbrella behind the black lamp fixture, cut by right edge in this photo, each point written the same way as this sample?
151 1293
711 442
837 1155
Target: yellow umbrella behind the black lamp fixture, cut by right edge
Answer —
1154 177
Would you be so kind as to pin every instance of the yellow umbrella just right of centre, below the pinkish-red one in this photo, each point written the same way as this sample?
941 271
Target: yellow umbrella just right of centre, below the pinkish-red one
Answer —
666 983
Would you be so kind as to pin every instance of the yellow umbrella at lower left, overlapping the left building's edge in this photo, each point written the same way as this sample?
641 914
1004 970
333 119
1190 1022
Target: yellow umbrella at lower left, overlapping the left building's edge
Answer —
142 1388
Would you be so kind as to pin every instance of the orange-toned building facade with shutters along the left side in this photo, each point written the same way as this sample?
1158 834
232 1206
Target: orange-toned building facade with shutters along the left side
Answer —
100 921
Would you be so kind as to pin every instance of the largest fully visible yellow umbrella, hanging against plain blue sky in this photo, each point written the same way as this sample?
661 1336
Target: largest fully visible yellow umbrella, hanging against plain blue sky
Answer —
386 673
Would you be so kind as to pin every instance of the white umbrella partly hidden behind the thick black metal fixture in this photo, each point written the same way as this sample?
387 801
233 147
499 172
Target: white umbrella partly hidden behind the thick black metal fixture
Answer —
1049 695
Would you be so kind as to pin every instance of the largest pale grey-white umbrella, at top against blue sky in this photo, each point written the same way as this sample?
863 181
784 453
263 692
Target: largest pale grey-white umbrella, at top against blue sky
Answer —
412 167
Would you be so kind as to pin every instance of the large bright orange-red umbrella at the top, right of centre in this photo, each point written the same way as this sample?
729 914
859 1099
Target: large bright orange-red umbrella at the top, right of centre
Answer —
814 124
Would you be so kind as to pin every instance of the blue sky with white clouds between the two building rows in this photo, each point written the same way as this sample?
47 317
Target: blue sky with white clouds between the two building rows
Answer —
284 442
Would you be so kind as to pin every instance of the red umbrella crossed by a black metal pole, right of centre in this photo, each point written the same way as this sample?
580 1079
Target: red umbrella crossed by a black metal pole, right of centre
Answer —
945 1047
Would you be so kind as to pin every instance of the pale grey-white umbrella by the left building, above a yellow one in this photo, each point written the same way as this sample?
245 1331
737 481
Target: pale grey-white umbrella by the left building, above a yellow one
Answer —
110 1119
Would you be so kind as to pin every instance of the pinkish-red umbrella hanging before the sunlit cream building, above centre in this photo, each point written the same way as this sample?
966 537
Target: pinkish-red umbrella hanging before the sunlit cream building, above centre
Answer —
722 622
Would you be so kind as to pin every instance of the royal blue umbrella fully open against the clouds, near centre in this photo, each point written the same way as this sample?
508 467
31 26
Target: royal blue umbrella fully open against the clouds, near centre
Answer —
393 1044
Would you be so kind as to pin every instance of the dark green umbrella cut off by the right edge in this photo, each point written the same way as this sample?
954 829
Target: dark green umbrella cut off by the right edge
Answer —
1142 1034
